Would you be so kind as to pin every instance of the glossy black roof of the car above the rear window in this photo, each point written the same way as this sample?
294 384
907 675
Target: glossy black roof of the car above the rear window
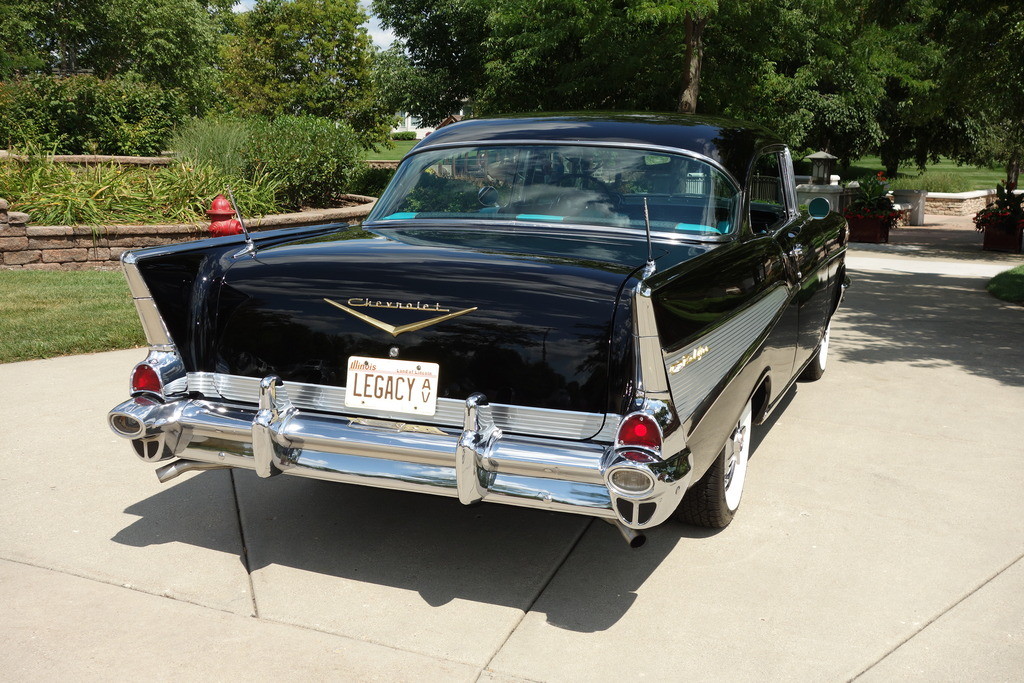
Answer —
732 144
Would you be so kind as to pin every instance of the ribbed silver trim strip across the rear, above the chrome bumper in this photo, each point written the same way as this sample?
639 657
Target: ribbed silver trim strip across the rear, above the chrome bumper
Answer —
326 399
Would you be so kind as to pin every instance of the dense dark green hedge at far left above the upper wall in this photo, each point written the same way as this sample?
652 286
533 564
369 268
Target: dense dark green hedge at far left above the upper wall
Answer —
88 115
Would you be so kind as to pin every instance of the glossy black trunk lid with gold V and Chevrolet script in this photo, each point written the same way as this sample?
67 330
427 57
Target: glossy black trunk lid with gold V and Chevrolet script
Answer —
525 329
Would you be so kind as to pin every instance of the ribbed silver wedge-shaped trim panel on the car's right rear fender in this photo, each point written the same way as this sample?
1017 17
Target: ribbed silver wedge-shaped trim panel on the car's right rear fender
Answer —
727 346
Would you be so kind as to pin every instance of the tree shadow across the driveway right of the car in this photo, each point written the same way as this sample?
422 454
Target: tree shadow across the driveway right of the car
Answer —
930 321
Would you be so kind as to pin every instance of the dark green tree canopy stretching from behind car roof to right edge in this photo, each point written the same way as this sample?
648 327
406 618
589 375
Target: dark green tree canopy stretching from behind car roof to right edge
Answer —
852 77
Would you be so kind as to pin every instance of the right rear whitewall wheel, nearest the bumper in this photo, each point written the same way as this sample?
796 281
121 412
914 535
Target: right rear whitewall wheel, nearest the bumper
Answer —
714 500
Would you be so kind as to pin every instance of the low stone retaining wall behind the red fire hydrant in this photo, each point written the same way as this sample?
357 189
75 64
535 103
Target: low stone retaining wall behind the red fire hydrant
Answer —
87 248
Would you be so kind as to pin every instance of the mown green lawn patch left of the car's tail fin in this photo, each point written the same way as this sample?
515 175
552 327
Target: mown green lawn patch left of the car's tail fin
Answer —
51 313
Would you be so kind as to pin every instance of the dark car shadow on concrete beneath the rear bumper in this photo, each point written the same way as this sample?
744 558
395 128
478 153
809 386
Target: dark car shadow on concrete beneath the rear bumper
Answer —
579 572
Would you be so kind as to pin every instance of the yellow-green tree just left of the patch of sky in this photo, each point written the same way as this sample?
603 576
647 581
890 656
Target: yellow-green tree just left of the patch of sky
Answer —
306 57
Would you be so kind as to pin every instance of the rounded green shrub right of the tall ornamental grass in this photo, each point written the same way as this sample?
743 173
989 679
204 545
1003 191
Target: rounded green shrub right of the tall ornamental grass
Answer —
314 159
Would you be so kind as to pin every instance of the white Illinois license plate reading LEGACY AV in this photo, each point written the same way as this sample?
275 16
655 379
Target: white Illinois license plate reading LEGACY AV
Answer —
395 387
